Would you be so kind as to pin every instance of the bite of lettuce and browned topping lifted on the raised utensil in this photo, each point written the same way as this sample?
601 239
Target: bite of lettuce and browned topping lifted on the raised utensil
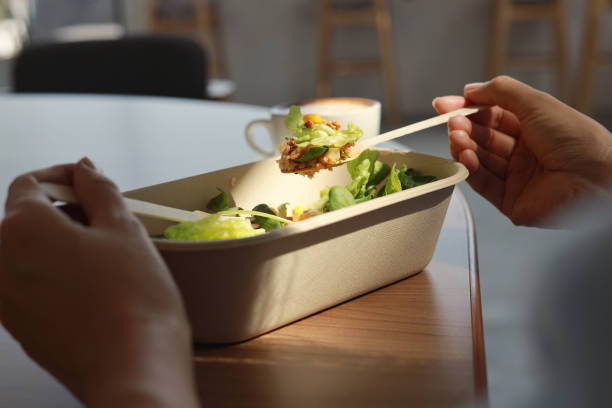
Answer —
317 144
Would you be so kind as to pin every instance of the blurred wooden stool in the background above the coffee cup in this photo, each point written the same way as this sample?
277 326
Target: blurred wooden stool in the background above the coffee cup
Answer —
376 13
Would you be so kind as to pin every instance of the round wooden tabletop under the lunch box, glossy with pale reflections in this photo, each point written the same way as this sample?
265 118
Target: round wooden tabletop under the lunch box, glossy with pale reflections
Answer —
418 342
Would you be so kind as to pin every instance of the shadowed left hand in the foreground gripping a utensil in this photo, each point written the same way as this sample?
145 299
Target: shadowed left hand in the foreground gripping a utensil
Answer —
95 305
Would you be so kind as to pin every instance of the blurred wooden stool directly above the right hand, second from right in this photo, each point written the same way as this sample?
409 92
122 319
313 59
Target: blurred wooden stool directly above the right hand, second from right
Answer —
508 12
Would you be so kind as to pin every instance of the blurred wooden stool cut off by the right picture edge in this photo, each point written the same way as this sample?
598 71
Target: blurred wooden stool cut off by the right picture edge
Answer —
591 58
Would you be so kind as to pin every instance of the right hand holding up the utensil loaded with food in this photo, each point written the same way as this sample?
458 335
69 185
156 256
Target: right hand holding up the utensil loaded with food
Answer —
529 154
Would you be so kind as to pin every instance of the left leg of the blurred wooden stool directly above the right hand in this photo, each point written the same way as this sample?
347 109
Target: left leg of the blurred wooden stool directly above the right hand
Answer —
499 37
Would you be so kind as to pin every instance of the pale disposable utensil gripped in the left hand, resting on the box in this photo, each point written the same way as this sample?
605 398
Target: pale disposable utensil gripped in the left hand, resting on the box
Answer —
65 193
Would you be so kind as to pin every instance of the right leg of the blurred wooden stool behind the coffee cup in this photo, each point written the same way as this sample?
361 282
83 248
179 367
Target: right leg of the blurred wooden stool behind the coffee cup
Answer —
389 75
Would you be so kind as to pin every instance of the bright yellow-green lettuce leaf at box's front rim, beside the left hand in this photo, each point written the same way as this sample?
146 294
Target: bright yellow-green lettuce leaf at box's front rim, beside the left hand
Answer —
212 228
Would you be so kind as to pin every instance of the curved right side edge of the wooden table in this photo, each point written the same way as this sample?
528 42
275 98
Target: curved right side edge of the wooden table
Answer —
478 344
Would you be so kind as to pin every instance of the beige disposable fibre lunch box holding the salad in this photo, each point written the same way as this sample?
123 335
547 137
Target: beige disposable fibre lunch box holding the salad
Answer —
237 289
